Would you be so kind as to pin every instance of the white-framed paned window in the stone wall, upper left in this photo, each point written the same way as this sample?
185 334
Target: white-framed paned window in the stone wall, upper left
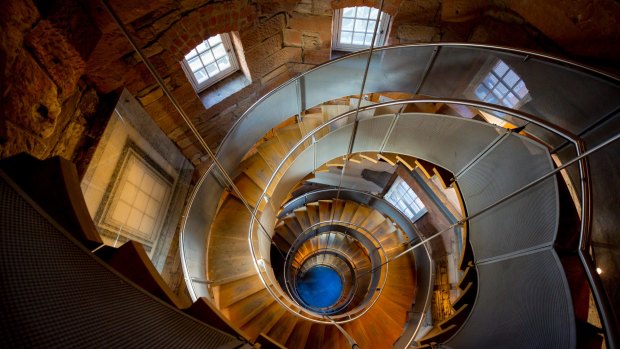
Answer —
210 61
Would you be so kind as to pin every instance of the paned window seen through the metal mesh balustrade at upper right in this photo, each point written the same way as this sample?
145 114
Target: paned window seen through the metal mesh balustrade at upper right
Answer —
502 86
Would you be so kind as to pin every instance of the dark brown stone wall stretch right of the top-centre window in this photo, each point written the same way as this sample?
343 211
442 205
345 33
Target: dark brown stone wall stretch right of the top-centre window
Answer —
579 29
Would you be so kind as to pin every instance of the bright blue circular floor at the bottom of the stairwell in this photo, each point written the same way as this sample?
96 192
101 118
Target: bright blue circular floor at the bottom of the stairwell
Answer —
320 287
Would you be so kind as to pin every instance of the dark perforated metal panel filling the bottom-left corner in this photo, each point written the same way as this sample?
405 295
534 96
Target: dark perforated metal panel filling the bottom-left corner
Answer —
54 294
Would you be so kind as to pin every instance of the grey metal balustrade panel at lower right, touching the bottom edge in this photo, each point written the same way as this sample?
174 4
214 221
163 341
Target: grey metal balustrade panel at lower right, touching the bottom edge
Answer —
516 308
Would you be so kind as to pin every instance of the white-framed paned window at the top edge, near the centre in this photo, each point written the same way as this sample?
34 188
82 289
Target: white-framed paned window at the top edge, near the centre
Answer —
353 28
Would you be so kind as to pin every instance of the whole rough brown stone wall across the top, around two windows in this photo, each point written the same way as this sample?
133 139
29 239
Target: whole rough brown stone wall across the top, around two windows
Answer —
58 58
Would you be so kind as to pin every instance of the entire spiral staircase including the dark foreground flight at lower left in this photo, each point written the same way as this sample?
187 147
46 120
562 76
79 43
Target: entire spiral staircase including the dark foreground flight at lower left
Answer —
531 180
